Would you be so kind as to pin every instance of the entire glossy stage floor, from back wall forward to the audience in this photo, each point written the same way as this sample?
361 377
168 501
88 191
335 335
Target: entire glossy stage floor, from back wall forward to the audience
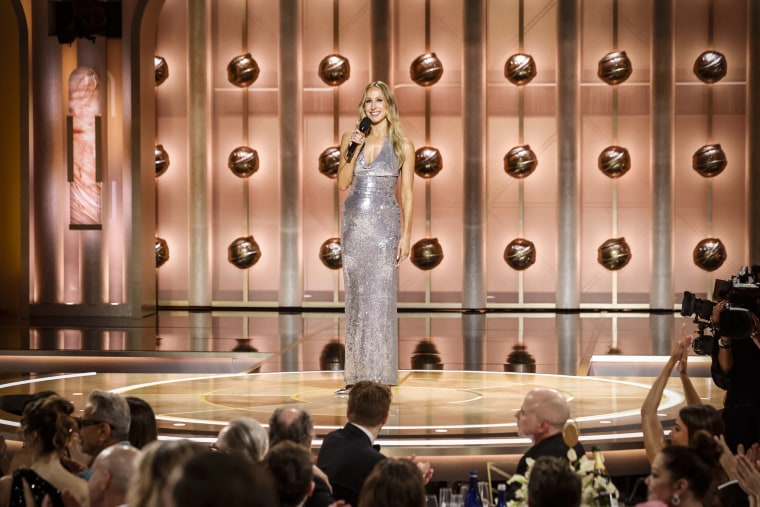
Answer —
459 414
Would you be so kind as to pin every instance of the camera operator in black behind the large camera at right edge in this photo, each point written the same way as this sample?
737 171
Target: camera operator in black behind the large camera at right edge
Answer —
736 368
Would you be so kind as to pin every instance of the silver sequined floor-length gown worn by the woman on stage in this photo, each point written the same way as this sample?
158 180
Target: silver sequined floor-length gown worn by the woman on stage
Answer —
370 231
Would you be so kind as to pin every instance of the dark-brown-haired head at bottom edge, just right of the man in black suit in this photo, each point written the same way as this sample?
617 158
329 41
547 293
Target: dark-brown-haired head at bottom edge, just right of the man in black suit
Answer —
393 483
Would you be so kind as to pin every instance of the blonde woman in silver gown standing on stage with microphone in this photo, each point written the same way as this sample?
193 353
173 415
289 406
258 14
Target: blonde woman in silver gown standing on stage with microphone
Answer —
375 234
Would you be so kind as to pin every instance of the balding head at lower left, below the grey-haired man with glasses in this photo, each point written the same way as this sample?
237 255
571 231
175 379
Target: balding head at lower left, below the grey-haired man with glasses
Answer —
112 471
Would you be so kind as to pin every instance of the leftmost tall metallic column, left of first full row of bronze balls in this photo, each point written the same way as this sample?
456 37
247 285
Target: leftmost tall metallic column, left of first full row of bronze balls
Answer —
199 147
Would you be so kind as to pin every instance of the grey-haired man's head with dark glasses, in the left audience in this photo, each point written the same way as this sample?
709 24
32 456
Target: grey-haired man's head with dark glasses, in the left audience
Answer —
104 422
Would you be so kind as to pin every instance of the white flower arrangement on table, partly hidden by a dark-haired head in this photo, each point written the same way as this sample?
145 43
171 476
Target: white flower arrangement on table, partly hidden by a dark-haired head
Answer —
591 485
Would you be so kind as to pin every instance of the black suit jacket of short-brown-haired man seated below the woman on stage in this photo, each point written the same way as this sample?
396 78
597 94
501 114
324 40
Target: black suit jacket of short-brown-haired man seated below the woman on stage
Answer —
347 457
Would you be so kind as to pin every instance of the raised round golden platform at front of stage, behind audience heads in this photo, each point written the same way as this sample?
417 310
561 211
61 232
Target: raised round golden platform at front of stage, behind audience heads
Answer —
444 413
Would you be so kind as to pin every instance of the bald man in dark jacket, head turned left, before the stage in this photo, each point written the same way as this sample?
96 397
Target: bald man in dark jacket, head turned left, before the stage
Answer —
542 418
